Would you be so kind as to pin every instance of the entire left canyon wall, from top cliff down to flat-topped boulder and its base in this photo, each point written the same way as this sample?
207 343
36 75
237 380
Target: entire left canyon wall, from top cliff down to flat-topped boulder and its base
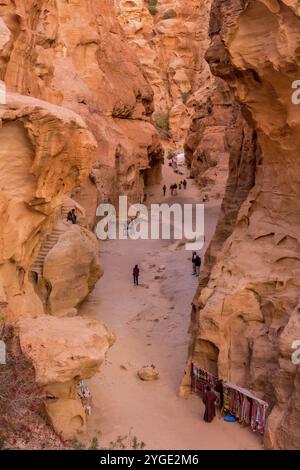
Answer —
77 122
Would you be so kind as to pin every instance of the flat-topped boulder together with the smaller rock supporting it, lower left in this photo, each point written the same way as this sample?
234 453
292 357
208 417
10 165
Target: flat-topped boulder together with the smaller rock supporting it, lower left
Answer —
63 353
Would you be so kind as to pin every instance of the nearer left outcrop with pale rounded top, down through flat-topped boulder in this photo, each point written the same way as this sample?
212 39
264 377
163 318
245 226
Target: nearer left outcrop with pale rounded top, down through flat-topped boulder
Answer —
45 151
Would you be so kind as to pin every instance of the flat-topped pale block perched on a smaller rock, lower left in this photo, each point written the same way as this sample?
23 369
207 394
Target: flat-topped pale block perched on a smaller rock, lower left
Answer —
64 349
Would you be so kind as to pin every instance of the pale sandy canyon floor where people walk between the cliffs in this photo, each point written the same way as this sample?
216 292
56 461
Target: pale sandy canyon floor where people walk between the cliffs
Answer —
151 325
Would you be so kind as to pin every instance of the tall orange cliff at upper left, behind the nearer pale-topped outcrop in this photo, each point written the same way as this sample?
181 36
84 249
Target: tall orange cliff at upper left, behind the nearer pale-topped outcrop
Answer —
74 54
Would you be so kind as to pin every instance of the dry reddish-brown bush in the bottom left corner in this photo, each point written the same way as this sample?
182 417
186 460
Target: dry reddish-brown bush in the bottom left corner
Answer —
21 425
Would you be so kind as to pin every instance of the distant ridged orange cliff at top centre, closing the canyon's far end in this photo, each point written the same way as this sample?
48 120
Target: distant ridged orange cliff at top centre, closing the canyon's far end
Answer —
168 44
